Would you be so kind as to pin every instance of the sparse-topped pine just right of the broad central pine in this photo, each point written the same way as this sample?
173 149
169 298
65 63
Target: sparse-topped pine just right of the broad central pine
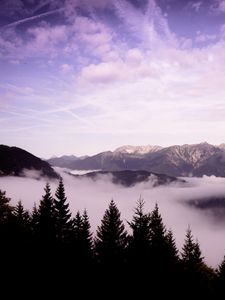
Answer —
140 240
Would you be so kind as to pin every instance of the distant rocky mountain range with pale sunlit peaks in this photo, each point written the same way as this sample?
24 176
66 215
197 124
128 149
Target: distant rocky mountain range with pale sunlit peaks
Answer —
178 160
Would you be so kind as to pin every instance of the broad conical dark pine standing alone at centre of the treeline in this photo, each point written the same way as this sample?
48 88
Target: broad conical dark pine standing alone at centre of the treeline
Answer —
111 238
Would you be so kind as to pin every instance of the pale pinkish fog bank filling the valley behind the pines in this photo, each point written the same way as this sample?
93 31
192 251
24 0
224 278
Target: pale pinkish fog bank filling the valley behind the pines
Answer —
96 195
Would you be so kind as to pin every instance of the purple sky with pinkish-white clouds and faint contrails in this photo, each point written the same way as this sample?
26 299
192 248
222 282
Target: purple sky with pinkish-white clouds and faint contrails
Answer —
83 76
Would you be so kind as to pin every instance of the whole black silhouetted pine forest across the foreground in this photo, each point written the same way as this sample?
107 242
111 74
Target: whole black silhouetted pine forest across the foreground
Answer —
48 243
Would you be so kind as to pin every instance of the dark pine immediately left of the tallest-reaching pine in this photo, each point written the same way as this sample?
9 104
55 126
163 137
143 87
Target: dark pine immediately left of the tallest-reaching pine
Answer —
46 217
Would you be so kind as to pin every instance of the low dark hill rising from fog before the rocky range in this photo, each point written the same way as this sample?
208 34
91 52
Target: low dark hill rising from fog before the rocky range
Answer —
130 178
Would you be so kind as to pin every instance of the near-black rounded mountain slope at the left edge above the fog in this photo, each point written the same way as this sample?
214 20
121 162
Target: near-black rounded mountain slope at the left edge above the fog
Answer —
16 161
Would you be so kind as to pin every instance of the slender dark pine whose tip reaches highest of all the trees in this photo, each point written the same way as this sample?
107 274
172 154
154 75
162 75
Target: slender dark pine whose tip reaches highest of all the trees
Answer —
63 215
